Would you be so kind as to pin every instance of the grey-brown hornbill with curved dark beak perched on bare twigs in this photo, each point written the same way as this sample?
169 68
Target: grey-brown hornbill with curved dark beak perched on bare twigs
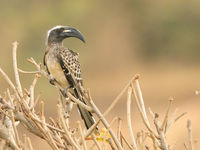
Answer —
63 66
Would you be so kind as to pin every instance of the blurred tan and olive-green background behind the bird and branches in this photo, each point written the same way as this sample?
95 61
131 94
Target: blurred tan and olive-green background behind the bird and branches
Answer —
157 39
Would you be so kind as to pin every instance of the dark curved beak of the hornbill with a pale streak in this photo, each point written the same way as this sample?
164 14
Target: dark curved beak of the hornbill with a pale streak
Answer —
72 32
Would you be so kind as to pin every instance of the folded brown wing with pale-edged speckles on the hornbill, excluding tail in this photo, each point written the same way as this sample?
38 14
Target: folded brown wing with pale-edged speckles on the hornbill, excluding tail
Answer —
71 66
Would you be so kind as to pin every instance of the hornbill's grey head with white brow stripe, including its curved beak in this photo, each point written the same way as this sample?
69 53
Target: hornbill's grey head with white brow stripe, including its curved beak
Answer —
58 33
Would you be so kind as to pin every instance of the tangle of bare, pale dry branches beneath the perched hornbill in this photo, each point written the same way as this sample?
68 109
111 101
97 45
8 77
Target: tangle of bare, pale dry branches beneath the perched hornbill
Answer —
18 106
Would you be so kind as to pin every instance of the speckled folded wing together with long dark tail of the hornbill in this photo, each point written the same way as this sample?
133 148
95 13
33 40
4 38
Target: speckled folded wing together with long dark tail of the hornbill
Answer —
71 67
